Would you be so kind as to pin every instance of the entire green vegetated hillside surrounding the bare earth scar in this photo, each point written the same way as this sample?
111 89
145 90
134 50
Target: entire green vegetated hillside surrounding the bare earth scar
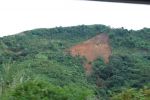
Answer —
35 65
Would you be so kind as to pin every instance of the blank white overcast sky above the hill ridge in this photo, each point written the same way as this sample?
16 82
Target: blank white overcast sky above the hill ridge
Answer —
21 15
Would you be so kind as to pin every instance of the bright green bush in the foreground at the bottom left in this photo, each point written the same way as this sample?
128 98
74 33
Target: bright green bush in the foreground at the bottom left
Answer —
42 90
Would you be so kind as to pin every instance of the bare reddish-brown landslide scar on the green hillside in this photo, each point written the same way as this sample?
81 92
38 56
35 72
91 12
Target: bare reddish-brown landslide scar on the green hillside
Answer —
93 48
